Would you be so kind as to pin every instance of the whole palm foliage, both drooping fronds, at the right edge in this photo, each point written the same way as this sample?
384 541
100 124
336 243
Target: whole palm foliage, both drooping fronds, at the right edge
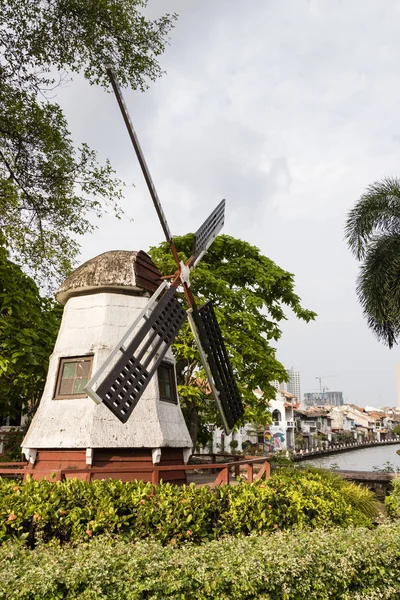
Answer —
373 235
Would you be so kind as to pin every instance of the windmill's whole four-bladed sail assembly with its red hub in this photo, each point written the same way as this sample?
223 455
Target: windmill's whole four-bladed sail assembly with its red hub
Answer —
124 376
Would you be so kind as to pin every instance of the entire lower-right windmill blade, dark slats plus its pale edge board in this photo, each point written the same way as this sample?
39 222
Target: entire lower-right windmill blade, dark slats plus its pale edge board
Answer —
217 366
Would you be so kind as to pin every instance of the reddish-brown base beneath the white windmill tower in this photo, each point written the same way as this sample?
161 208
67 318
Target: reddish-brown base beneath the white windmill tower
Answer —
126 464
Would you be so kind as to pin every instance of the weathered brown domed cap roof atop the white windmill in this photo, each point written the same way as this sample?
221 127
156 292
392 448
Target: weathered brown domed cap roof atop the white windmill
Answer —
118 271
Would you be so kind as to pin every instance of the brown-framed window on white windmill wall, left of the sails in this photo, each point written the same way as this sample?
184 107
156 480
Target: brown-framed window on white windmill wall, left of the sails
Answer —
73 375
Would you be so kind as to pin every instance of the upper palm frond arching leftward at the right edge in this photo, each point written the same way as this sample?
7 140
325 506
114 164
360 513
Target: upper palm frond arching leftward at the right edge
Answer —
377 211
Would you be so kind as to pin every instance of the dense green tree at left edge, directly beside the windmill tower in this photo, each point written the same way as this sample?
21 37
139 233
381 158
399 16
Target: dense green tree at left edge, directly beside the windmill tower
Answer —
28 329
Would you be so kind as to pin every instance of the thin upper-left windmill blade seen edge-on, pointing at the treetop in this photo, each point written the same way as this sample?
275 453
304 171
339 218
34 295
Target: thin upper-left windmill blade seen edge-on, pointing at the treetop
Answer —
139 154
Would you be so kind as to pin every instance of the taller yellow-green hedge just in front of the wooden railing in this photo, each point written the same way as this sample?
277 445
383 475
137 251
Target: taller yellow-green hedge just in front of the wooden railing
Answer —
75 510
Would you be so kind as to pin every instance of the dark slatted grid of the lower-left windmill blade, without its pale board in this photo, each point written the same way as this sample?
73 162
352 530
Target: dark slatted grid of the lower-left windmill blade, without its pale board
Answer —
122 388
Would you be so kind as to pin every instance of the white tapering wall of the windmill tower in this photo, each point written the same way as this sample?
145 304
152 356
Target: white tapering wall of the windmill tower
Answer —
94 324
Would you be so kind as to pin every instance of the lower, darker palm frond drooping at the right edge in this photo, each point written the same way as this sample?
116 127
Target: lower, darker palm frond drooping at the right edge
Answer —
378 287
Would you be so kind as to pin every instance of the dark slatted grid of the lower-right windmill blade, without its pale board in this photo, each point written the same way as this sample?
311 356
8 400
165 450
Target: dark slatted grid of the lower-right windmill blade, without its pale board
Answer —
221 369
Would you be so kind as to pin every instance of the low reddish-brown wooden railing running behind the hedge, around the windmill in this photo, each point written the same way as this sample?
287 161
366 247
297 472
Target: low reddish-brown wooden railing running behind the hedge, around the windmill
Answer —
247 466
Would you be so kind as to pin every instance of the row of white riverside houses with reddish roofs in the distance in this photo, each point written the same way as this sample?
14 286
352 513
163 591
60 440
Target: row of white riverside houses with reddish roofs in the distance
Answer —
321 426
